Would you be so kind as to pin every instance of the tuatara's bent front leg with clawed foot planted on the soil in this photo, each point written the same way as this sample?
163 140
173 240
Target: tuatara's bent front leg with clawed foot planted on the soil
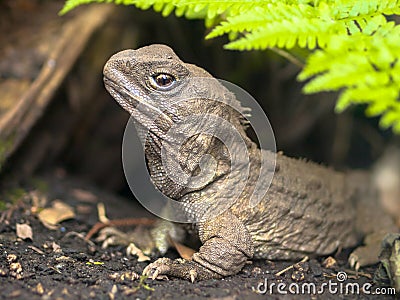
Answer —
227 245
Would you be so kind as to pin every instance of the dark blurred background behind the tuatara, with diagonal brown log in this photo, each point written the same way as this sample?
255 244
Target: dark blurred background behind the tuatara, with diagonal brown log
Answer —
56 116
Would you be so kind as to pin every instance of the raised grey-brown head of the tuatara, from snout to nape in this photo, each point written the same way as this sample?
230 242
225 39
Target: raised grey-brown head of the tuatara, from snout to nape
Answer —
159 90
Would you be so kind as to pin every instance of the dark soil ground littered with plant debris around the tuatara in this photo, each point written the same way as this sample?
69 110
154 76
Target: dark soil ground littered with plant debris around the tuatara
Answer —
60 264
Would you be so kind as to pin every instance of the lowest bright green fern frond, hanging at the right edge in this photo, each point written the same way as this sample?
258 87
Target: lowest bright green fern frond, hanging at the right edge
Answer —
365 67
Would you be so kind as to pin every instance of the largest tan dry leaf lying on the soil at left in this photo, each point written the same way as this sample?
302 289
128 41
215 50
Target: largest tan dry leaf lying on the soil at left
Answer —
59 212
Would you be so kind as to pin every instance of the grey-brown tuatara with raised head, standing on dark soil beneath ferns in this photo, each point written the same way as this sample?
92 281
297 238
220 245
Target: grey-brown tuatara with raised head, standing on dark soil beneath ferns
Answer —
308 210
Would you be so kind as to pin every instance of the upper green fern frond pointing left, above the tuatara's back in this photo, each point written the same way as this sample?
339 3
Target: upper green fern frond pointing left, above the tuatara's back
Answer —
286 25
